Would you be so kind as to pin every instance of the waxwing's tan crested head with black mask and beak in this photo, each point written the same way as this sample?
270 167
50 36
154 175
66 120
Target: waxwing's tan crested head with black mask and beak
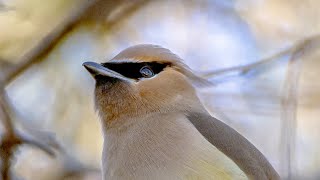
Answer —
142 80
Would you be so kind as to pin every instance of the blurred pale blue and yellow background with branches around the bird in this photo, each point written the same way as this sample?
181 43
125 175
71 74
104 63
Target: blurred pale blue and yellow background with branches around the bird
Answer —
49 129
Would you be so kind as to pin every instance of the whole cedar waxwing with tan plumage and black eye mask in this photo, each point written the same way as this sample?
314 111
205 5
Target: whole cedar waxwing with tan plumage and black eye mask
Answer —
155 126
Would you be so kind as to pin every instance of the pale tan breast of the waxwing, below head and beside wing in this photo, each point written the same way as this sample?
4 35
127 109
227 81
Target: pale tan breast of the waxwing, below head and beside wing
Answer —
163 146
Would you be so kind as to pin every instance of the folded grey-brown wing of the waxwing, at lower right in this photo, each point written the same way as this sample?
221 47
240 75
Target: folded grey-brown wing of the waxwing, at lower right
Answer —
234 145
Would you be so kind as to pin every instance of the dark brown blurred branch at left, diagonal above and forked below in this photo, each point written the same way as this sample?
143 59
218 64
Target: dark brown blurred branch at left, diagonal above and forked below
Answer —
12 138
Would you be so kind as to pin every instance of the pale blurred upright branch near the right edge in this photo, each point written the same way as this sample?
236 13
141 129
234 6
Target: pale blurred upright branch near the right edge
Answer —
289 110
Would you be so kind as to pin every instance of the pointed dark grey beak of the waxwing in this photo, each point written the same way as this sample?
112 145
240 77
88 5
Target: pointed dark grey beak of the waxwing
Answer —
97 69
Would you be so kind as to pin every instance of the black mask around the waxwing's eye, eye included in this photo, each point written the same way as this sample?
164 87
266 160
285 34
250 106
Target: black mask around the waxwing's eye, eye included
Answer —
137 70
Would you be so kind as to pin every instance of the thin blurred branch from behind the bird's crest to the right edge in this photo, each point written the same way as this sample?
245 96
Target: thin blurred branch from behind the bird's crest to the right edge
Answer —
264 63
